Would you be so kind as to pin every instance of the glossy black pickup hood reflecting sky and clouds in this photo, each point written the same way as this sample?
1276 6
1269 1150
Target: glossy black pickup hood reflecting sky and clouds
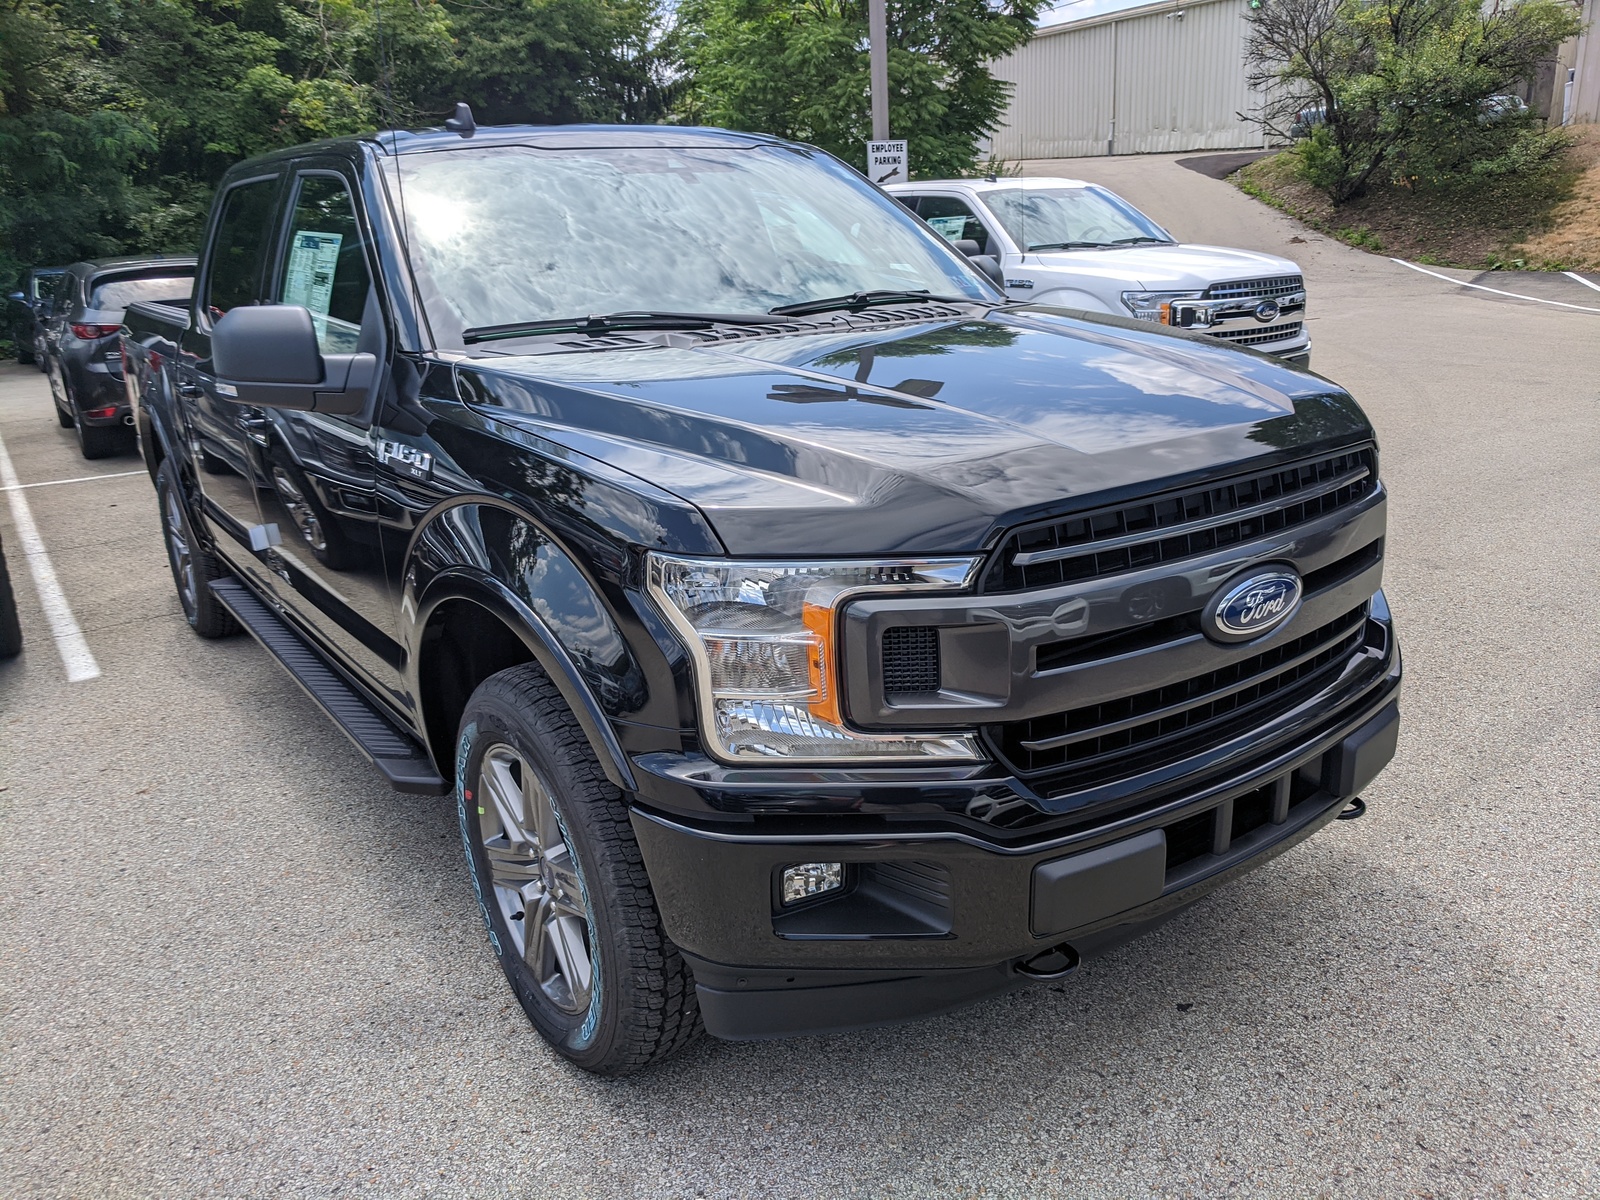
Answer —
919 438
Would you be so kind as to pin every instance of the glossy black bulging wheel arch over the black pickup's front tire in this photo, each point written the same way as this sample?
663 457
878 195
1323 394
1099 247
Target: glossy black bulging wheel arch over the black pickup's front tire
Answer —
508 566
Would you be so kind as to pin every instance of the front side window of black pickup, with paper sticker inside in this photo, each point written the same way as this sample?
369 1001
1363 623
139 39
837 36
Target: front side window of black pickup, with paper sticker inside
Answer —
326 266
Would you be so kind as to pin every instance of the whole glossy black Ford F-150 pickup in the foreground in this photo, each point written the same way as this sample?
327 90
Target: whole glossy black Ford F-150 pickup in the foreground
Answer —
809 636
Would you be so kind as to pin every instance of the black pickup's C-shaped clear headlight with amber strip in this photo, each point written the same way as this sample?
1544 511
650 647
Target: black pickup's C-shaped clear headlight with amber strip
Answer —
764 639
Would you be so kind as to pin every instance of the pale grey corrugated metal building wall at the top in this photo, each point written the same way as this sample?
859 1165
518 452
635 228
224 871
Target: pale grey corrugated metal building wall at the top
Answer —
1158 79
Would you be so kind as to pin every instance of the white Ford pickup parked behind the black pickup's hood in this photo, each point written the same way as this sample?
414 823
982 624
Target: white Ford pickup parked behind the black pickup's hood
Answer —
1082 247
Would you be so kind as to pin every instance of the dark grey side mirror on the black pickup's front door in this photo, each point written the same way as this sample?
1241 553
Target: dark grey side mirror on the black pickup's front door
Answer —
268 356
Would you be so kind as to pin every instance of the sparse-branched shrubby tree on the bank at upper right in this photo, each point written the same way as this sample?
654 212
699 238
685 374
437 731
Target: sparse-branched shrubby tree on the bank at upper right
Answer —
1401 90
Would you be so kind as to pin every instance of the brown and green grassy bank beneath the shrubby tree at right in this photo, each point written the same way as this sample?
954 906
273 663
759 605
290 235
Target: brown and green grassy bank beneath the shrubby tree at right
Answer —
1537 222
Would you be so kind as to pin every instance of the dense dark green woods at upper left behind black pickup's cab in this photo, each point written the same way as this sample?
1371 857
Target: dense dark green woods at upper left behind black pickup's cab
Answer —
118 118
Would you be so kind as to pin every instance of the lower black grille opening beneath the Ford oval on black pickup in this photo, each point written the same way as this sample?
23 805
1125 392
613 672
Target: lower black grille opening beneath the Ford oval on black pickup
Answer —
1086 746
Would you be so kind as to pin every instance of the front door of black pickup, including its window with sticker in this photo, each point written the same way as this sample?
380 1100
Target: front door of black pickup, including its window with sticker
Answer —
318 468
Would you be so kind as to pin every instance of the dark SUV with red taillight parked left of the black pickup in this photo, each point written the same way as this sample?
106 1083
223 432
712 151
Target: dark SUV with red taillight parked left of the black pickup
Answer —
84 345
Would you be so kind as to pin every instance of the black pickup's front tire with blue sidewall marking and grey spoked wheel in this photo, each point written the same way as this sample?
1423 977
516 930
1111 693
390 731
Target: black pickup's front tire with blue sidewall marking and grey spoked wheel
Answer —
642 1006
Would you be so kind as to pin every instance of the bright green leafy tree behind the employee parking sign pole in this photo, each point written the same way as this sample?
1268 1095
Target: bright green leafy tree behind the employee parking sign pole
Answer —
799 70
